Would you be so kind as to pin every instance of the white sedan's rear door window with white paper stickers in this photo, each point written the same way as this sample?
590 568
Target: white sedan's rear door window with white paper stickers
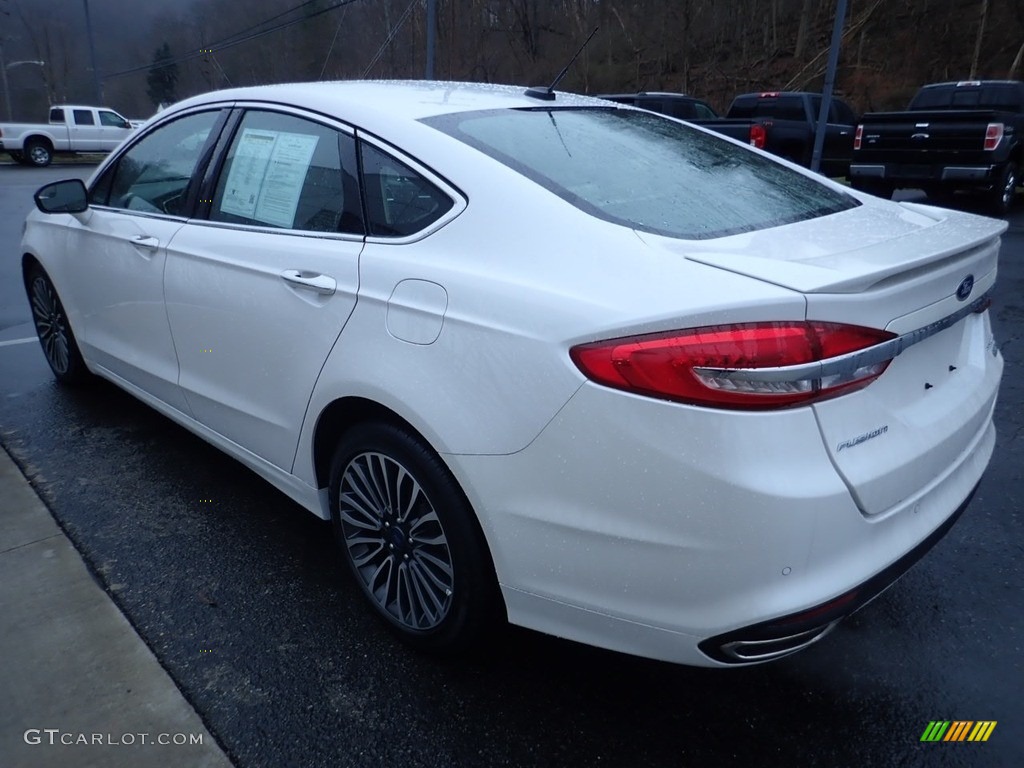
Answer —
286 173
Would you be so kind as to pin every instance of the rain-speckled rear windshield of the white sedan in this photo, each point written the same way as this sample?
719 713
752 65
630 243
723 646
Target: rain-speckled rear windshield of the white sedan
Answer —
645 172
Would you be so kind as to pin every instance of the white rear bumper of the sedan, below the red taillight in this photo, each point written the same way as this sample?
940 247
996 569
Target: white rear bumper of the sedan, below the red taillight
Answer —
670 532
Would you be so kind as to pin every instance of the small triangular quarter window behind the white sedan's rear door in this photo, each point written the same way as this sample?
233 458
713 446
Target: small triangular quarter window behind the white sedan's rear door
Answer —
400 201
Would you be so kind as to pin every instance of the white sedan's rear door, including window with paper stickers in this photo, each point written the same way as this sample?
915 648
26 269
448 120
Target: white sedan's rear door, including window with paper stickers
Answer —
259 293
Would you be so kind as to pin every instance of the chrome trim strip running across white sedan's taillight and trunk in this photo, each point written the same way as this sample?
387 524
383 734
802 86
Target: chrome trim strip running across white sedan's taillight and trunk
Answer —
847 365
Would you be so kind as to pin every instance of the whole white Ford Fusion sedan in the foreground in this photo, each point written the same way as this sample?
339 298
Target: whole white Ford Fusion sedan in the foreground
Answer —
584 367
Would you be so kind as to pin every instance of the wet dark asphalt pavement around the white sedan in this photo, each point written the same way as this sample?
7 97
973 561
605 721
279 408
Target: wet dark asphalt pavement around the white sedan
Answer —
243 600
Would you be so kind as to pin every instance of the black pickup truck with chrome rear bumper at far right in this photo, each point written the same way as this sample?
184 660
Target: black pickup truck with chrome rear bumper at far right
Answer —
955 137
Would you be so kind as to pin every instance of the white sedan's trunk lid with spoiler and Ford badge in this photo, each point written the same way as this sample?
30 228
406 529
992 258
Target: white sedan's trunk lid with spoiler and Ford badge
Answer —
906 270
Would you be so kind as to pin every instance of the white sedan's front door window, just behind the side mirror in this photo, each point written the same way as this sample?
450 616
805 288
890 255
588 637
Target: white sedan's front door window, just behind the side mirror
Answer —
154 176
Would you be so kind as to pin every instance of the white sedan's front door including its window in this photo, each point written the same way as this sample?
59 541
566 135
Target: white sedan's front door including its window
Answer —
120 251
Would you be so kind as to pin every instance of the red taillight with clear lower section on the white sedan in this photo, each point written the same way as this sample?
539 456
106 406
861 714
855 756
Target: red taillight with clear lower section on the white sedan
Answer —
750 366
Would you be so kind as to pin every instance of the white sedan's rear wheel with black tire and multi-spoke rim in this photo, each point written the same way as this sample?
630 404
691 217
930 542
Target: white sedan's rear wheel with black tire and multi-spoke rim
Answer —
411 539
